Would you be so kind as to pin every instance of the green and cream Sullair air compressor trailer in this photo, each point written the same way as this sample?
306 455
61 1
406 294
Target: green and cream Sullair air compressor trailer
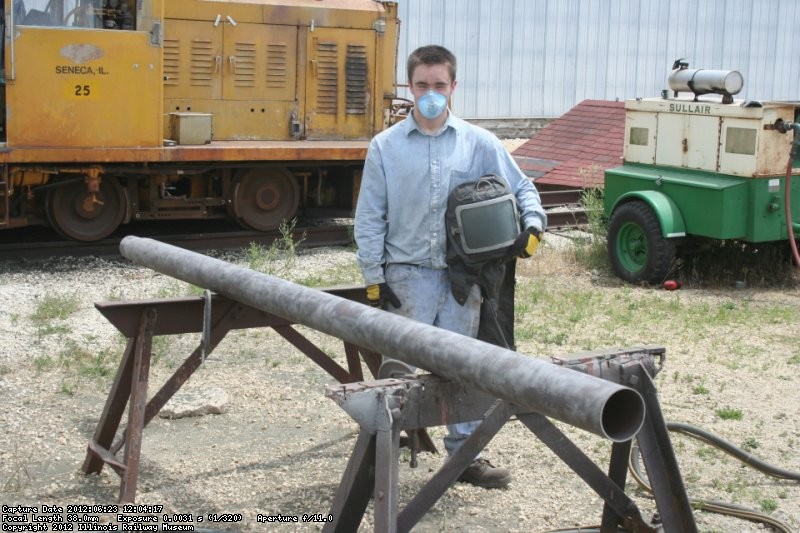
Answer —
701 165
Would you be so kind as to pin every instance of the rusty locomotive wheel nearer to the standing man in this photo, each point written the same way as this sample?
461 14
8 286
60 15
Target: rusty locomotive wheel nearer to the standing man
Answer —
263 198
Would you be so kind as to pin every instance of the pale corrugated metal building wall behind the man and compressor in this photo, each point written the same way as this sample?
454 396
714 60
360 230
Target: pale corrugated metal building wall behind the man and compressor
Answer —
538 58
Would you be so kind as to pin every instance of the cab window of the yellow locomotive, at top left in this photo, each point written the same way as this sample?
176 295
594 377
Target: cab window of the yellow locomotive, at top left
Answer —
101 14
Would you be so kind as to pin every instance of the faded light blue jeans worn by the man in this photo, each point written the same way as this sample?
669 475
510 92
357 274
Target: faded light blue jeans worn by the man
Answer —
426 297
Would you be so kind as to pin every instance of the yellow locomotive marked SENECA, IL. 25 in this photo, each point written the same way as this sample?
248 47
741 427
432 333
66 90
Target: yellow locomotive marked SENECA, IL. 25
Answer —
121 110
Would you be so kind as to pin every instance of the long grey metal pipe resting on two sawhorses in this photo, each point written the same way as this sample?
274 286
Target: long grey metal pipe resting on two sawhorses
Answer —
593 404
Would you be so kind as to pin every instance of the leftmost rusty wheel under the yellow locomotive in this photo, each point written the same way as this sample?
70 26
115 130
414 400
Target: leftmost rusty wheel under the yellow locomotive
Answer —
78 214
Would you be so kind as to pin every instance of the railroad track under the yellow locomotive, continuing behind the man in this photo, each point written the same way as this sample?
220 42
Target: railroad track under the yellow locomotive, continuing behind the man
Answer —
563 208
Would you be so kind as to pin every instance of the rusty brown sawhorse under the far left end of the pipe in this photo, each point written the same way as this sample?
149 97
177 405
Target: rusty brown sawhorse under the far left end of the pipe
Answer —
214 317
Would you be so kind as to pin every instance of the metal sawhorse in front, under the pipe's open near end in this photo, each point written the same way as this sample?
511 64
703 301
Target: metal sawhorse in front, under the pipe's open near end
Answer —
384 408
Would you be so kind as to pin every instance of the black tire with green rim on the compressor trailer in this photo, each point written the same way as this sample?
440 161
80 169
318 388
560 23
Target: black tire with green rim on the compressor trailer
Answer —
638 251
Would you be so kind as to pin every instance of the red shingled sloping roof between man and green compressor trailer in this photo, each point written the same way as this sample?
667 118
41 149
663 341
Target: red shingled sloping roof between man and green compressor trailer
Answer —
575 149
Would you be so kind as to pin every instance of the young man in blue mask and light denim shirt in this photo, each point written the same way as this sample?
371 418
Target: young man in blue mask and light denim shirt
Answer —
409 172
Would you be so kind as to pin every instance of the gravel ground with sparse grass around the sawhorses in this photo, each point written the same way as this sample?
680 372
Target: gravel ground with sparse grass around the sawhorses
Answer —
280 446
